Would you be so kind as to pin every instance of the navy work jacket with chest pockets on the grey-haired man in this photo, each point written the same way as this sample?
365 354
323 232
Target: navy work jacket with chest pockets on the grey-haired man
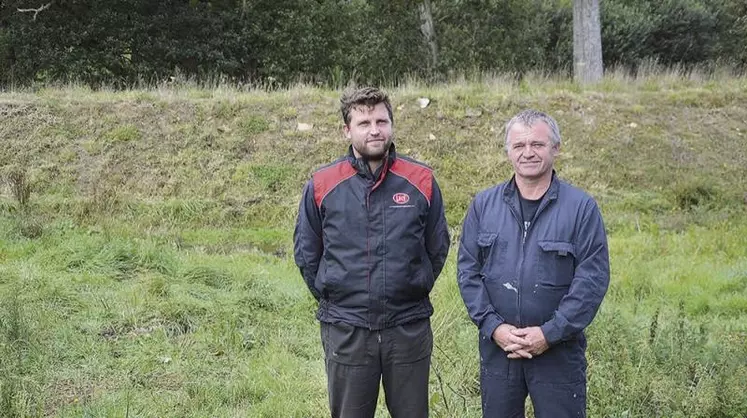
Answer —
553 275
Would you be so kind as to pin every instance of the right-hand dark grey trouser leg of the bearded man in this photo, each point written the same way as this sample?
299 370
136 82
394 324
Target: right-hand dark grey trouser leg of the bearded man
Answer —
406 361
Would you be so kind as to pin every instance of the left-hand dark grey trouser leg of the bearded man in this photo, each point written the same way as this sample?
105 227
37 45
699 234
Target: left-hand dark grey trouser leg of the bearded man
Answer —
353 370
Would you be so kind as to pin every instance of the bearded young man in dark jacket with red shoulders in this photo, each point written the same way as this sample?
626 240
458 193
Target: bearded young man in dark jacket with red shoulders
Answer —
370 240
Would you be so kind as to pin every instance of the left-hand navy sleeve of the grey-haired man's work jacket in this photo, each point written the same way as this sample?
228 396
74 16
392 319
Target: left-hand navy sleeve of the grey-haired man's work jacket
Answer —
471 285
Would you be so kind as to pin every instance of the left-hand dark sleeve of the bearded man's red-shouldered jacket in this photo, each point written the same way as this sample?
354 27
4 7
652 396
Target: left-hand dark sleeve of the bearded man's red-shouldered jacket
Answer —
307 238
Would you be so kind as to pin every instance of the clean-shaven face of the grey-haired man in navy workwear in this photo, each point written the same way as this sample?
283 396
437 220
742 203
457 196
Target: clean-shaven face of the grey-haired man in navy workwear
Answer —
531 151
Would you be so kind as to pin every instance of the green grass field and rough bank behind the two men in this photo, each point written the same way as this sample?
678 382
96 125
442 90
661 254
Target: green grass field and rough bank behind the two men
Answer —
146 258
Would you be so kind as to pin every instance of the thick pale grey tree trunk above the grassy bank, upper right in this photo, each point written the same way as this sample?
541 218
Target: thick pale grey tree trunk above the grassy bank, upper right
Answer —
587 42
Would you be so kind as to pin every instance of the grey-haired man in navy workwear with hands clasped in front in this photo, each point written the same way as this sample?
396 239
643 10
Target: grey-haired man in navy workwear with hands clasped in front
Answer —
533 267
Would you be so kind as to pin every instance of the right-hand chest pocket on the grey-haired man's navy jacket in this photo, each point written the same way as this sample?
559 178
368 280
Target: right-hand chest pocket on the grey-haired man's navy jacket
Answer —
556 263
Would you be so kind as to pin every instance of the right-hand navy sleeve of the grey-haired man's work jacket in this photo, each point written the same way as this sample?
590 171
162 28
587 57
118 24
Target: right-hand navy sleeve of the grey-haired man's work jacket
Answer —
591 279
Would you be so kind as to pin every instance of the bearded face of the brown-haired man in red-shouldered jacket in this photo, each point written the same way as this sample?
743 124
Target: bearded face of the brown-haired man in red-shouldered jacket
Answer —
370 131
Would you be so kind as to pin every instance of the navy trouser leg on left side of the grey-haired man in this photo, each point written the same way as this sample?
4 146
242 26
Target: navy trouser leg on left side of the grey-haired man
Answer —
502 383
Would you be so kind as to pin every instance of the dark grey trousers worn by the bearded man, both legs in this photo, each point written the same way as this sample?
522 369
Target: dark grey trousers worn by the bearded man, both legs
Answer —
358 359
